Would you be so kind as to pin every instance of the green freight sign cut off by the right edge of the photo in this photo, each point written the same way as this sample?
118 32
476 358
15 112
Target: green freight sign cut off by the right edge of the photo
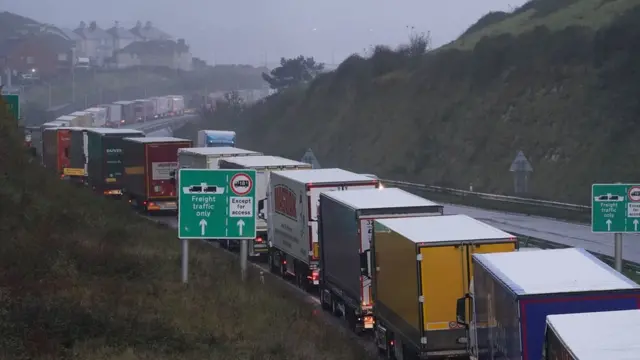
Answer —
615 208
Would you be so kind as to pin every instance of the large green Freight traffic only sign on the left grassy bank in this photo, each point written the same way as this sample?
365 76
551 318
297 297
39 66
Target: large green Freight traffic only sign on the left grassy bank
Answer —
216 204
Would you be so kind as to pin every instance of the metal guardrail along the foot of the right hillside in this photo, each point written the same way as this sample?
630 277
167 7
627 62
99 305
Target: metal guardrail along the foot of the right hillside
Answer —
493 197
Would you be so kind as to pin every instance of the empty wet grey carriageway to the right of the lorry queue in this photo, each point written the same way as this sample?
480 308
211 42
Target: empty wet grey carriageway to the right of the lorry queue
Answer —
571 234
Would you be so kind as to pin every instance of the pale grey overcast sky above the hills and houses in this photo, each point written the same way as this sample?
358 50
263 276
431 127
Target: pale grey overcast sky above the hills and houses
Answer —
250 31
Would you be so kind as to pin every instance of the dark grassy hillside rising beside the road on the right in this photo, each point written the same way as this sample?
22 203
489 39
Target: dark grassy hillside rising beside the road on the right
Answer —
557 82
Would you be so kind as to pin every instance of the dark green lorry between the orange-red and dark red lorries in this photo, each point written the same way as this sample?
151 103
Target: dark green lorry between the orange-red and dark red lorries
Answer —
106 159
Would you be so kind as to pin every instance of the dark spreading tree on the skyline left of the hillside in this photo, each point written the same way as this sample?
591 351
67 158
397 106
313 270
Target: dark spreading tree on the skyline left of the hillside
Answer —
293 72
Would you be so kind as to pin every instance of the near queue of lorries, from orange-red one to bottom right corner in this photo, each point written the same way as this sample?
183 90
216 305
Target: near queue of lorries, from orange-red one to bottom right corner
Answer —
423 283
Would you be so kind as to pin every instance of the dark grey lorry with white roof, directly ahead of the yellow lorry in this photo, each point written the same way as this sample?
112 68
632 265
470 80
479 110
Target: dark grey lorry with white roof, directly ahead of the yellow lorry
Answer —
344 235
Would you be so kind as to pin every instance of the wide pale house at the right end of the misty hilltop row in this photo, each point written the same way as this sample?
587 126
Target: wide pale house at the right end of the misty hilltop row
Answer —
155 53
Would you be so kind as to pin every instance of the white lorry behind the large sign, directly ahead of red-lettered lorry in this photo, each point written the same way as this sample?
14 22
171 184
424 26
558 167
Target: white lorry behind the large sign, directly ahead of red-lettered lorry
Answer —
263 165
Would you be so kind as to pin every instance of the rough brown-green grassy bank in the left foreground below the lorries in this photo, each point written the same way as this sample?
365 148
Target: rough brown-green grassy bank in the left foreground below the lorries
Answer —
82 278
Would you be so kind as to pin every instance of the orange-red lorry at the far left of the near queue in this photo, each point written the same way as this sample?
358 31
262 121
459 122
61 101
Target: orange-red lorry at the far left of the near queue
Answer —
55 149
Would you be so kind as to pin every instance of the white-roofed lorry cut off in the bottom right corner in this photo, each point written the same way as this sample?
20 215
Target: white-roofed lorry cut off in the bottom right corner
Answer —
610 335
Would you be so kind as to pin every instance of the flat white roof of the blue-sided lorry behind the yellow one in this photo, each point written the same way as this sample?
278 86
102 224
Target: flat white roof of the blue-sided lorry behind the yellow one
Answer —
553 271
